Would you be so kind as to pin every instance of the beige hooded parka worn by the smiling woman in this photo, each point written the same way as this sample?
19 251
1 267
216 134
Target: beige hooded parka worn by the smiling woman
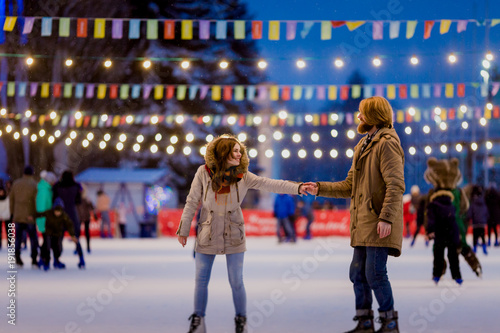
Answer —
221 228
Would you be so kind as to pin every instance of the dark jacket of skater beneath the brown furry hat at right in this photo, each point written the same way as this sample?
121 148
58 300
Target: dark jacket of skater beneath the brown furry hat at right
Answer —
441 219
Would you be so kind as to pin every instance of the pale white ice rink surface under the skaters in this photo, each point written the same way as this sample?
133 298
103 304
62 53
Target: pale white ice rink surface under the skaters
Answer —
301 287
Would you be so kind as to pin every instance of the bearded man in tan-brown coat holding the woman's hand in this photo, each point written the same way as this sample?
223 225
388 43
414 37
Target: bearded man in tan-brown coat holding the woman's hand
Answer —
375 184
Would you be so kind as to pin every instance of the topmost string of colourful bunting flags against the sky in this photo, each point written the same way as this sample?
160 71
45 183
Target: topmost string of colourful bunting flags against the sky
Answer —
221 29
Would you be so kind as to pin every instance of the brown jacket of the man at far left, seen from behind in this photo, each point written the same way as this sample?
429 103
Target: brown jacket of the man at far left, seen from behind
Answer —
22 199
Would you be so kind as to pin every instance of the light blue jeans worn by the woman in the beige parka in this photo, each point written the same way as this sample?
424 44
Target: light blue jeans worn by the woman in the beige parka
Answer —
204 264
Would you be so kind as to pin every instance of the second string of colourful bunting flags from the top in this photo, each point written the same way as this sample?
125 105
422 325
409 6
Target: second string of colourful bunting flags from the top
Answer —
262 92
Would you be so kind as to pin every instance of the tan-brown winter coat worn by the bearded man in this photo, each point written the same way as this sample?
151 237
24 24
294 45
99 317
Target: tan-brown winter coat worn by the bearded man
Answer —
375 184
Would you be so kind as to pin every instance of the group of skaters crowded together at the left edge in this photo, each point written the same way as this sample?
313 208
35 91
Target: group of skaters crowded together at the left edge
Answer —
51 207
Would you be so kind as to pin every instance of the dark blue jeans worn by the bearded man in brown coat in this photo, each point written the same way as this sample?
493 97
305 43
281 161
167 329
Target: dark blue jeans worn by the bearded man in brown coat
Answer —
368 272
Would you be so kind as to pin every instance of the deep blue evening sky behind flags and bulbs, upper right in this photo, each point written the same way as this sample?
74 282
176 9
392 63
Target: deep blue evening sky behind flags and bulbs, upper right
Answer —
433 67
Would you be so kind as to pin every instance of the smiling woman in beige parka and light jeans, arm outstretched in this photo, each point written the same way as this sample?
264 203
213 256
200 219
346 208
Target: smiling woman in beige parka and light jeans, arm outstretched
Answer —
221 185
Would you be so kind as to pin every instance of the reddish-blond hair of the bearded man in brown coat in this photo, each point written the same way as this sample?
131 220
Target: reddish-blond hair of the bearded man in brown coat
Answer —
377 111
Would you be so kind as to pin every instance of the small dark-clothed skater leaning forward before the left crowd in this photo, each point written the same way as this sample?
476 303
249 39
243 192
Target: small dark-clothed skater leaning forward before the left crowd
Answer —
56 222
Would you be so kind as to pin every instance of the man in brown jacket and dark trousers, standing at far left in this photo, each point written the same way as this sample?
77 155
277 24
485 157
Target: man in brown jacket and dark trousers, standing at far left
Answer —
23 207
